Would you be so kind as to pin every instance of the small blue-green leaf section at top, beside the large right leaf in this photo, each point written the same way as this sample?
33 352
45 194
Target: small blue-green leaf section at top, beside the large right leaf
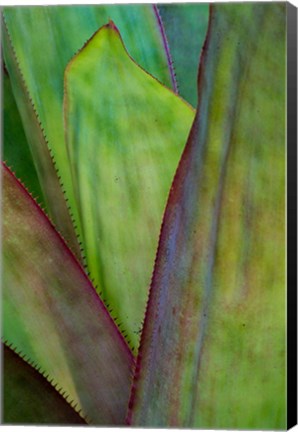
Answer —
185 28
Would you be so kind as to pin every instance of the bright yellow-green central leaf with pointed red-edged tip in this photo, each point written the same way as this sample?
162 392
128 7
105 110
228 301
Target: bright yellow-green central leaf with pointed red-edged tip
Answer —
125 134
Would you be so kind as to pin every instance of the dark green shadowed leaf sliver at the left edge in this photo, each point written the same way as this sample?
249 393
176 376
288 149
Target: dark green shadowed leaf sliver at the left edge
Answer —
16 151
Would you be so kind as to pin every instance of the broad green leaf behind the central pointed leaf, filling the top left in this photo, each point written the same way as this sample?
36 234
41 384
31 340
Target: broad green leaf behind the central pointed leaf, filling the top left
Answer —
46 38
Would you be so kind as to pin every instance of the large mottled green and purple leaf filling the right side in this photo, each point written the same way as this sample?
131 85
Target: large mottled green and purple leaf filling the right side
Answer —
212 351
